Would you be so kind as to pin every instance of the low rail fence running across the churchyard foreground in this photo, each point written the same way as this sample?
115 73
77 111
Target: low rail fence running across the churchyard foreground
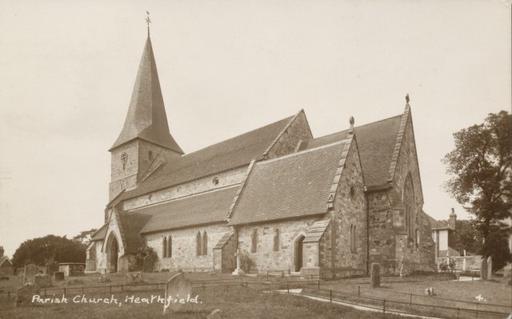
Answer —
311 288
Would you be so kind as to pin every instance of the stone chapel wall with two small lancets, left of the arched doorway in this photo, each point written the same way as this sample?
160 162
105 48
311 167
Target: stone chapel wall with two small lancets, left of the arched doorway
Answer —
265 258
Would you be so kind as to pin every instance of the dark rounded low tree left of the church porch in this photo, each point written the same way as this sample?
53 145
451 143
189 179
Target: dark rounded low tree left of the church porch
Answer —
47 250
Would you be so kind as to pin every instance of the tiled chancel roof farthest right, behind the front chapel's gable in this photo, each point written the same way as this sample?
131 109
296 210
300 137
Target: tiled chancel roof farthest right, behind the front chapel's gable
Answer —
376 142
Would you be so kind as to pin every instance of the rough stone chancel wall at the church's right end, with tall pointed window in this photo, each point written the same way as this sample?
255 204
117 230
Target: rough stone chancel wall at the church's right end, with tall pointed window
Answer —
390 243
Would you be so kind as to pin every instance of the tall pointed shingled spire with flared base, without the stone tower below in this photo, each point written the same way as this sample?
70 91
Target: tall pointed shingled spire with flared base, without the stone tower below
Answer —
146 118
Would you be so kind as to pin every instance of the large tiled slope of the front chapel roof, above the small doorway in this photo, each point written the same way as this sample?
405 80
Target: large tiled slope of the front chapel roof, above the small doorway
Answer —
290 186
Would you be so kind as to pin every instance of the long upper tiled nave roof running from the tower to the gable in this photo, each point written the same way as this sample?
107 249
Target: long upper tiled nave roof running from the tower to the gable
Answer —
229 154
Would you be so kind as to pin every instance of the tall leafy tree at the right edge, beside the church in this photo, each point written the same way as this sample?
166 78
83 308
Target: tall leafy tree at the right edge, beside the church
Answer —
480 169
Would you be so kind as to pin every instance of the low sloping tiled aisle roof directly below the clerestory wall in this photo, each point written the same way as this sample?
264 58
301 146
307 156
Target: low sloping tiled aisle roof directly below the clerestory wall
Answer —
205 208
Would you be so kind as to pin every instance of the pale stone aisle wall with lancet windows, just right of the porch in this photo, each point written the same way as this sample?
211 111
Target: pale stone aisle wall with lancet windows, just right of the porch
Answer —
184 247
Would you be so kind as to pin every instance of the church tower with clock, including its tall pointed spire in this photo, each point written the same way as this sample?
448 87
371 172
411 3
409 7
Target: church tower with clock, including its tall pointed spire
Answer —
145 137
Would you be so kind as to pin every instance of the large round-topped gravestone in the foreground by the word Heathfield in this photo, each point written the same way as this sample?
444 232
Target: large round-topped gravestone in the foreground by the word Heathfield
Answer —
177 287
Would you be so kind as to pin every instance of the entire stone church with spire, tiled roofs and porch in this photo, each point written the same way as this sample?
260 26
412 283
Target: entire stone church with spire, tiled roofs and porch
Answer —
284 200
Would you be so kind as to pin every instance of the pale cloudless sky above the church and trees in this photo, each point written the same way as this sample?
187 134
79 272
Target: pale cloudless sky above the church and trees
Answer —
67 69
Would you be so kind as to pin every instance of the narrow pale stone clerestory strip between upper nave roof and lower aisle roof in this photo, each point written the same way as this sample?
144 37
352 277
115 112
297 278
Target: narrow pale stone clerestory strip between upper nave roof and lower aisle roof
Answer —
223 179
